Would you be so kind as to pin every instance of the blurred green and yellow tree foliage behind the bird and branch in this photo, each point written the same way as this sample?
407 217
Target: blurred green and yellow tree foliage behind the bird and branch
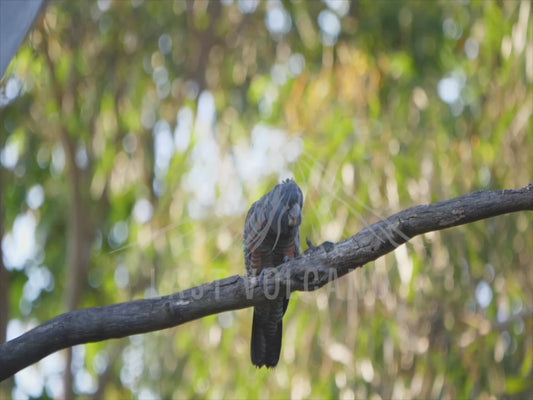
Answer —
137 133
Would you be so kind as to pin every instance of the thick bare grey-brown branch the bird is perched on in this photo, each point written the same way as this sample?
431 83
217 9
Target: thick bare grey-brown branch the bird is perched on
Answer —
312 270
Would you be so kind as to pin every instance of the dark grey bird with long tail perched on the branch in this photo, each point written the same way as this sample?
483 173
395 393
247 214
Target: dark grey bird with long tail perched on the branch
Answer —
271 234
